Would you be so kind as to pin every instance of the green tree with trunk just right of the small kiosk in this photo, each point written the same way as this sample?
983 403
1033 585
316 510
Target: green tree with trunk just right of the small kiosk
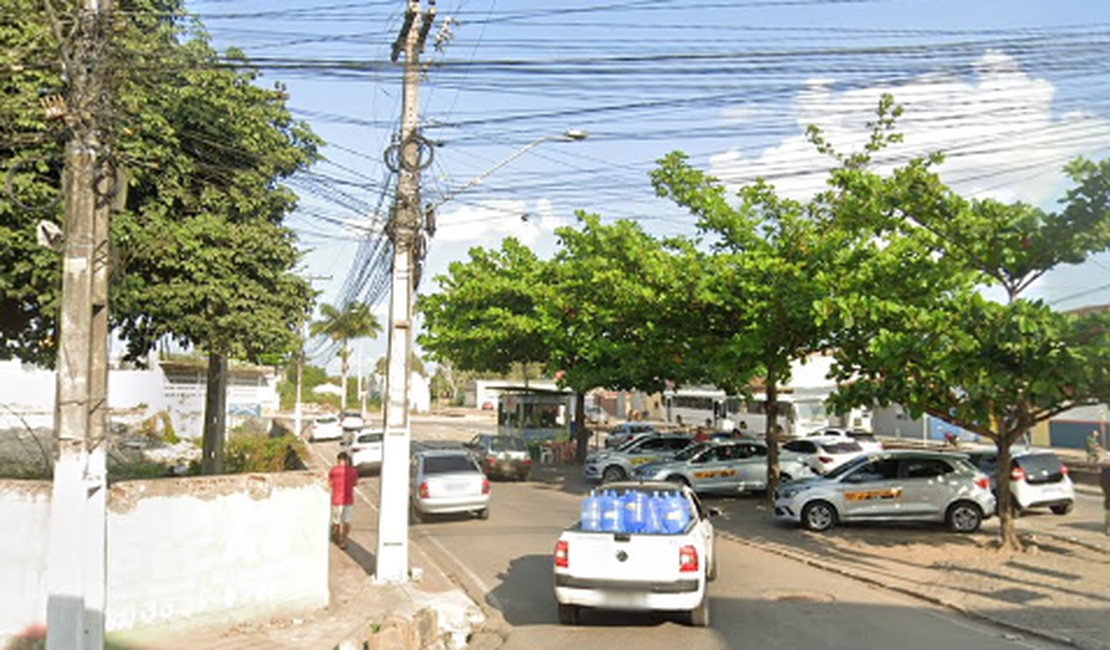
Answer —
617 310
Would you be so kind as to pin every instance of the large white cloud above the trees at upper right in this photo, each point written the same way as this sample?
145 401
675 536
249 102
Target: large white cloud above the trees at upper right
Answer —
996 127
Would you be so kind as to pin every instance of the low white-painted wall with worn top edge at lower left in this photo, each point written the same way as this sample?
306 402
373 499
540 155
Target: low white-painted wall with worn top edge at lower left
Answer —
181 551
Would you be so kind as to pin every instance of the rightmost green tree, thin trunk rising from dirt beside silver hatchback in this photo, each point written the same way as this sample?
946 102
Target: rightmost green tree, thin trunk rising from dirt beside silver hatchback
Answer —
927 338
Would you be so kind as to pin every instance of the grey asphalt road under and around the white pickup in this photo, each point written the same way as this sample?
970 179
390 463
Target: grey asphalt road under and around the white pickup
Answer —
761 601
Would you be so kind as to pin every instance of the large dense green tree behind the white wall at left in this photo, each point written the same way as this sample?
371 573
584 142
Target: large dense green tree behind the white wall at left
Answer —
199 250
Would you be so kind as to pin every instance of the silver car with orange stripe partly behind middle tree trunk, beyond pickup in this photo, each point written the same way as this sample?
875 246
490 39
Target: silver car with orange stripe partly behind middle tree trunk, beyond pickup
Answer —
728 466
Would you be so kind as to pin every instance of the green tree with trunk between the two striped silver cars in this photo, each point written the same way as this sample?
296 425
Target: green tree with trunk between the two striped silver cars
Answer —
768 267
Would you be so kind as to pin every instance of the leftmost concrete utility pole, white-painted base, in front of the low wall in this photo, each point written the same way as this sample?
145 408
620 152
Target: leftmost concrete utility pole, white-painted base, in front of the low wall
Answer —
77 545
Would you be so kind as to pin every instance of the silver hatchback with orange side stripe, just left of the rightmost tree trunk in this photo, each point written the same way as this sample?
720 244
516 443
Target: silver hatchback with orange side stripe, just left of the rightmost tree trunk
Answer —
892 486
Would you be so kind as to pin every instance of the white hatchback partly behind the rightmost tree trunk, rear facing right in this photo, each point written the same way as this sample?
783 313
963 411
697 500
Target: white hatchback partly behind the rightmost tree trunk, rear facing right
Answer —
1038 479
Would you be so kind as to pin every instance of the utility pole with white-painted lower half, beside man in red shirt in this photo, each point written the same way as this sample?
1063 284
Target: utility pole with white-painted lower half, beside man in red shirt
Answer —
406 232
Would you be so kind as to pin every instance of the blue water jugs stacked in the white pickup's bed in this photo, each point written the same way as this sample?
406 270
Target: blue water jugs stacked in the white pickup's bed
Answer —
635 512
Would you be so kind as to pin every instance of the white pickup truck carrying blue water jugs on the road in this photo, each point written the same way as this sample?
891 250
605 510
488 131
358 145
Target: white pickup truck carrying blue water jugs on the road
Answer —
653 570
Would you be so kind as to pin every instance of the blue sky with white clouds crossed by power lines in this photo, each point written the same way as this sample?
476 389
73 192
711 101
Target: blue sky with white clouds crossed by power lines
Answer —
1010 89
